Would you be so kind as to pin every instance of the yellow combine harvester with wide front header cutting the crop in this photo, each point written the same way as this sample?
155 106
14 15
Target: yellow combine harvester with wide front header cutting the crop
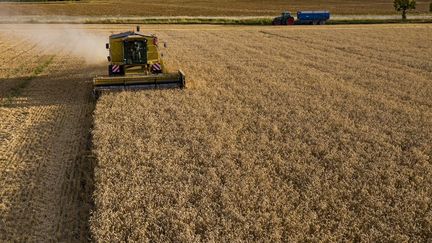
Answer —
135 63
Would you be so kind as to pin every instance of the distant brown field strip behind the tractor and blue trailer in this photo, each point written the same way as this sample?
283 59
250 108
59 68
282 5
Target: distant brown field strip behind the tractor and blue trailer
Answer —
200 8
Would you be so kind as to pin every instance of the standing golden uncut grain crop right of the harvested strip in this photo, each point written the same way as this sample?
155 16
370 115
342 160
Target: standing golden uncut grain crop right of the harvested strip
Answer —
284 134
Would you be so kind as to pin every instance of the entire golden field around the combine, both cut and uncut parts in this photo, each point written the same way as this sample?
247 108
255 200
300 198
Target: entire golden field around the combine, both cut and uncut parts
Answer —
306 133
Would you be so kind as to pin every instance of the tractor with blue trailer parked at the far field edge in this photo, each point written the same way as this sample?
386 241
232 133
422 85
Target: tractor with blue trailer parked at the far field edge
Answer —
303 17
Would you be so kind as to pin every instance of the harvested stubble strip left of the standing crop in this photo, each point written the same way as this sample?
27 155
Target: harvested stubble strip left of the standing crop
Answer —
45 163
